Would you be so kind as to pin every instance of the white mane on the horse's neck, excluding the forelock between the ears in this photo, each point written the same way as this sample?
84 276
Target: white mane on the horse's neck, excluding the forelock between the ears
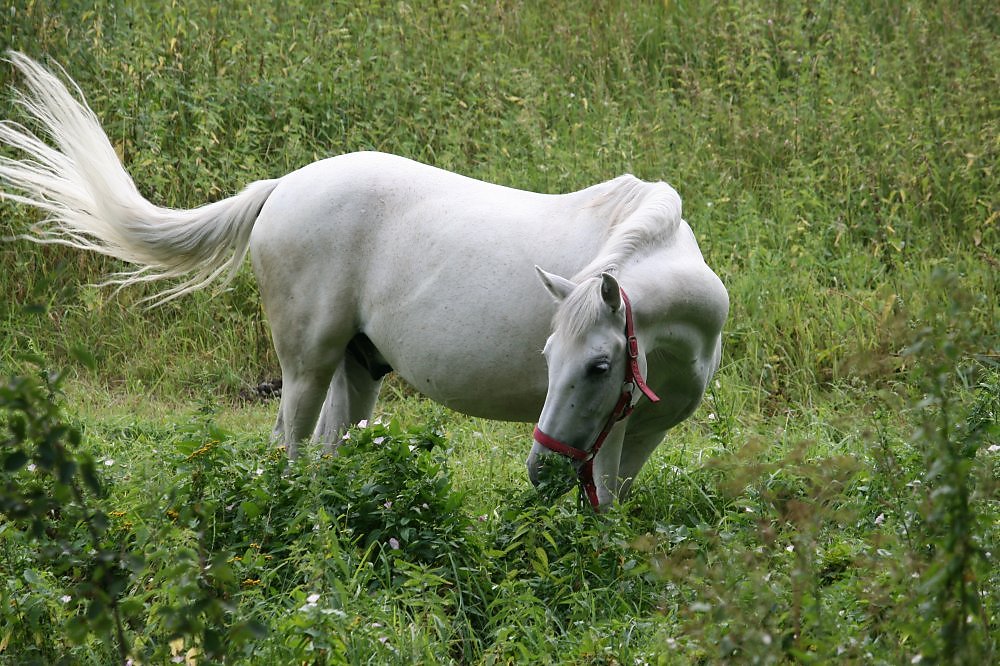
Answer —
640 215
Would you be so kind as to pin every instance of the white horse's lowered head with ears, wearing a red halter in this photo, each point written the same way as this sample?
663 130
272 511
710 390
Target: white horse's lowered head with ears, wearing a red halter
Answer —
594 366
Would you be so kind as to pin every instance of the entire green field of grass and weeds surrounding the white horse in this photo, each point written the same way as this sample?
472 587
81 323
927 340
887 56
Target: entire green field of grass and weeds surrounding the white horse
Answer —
834 500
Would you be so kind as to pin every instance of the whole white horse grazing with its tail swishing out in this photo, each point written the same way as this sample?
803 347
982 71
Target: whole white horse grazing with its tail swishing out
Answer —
369 262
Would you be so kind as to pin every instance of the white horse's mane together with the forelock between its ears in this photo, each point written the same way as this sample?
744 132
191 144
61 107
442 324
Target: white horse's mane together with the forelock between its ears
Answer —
640 215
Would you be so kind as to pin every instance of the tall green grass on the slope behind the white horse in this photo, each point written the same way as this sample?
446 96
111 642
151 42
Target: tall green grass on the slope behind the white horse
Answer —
830 156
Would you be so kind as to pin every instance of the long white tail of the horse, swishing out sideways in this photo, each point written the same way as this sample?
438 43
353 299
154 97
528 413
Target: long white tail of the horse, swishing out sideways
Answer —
92 203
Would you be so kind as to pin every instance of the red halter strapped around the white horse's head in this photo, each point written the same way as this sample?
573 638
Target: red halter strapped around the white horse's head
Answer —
624 406
